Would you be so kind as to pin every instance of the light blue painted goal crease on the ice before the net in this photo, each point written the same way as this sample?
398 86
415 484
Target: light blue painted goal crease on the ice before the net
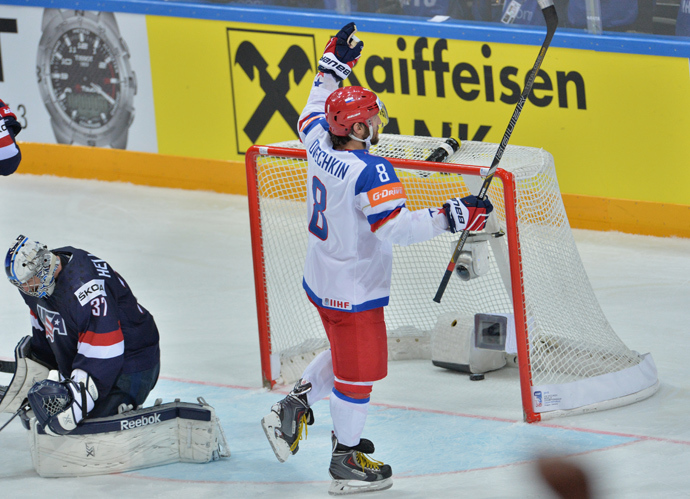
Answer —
413 442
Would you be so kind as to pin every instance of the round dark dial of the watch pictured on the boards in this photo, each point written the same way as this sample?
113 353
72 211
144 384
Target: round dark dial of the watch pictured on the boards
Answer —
85 77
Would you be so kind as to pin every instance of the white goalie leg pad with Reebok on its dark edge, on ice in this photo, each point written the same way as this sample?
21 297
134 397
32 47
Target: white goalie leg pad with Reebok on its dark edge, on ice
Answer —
144 438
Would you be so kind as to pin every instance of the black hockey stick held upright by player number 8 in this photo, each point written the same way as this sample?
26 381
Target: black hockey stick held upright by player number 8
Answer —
551 19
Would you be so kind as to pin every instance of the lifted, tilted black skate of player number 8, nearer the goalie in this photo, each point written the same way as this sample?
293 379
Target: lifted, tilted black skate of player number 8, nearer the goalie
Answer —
283 425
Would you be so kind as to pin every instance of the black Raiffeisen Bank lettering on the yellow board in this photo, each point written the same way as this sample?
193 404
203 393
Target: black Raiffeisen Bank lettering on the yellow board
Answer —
464 89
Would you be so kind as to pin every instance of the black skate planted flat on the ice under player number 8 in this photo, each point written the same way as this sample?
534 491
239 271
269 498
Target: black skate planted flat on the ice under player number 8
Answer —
353 472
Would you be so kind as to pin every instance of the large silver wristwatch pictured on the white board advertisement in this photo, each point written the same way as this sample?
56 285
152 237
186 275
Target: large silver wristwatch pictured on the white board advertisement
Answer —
85 78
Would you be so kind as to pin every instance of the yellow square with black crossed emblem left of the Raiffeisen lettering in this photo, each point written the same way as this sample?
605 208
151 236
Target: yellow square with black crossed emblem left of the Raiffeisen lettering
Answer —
266 67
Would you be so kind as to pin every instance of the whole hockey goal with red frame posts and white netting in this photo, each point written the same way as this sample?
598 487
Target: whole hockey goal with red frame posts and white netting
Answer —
570 360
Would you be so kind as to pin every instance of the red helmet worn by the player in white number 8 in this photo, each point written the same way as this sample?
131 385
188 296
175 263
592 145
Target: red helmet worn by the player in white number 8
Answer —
349 105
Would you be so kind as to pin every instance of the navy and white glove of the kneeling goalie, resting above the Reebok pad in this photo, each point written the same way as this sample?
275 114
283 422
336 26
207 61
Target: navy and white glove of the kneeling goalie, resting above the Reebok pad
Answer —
60 406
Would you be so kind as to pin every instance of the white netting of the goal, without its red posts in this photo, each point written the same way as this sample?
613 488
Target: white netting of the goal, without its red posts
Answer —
569 336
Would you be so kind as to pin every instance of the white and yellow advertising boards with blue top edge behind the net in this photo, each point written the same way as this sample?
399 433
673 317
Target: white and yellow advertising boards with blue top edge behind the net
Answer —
613 117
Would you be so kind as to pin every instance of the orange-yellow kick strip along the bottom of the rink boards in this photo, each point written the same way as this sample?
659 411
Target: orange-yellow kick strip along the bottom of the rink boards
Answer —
228 177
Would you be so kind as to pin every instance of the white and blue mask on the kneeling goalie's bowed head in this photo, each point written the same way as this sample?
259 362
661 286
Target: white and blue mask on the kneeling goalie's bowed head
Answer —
31 267
